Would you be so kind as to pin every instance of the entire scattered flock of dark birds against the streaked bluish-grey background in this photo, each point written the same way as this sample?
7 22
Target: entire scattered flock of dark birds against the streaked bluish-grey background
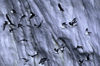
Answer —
42 60
